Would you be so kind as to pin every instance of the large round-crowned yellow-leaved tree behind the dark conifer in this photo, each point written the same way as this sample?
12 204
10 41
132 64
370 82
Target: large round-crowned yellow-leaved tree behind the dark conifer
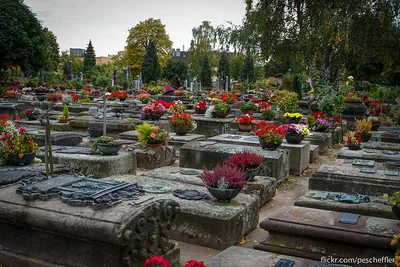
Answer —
137 41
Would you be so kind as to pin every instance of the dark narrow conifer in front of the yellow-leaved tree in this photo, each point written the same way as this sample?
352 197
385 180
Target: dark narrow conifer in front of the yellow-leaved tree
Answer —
151 70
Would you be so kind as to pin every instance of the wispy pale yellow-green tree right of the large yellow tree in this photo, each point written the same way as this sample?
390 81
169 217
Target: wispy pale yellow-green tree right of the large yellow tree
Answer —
202 45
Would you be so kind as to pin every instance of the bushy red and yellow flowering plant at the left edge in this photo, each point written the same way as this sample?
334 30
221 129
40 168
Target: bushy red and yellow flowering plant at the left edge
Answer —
15 141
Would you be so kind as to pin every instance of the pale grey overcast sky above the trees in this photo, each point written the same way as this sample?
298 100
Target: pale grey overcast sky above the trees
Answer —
107 23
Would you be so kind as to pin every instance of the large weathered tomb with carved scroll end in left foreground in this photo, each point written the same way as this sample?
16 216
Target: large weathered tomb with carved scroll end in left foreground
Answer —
54 233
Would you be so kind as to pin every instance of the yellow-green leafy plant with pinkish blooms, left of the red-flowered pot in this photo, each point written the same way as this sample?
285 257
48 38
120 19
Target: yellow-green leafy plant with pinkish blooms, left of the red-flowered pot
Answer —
148 133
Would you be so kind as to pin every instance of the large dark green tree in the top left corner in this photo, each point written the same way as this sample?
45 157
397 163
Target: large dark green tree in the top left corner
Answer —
22 40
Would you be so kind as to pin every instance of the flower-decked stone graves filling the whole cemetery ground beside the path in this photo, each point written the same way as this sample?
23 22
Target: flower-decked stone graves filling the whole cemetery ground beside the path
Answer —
69 178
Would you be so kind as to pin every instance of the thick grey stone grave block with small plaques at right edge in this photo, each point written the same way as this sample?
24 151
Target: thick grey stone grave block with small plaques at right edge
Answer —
349 179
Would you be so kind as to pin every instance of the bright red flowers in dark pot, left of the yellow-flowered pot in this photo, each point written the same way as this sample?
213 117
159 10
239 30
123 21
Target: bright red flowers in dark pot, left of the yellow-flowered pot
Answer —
269 135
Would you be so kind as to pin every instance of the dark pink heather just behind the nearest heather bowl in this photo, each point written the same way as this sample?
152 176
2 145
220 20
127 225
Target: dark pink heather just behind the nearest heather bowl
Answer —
246 162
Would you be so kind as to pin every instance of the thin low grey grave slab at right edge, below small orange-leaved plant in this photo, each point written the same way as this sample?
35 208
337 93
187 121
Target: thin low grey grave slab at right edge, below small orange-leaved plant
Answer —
379 155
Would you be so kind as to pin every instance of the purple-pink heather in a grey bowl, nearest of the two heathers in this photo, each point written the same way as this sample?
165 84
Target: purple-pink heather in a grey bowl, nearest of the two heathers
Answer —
223 182
